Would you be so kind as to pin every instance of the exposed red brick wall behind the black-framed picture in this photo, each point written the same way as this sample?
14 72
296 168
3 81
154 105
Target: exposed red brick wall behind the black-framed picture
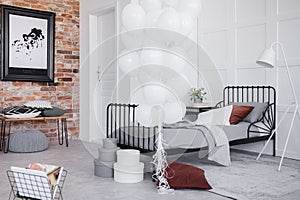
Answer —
64 93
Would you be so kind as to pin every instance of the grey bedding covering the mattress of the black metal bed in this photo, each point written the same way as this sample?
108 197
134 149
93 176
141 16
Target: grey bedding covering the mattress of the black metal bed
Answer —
178 137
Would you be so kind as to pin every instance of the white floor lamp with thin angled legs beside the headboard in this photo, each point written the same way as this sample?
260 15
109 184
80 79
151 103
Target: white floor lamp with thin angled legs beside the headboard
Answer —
267 59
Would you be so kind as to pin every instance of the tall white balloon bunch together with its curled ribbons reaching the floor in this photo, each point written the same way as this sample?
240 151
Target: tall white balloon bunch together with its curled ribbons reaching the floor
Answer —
158 101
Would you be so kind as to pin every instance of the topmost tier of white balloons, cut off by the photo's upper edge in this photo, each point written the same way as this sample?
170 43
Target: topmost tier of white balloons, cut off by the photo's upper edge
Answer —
174 15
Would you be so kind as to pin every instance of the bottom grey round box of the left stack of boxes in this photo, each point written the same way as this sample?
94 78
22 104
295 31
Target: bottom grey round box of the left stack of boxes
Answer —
103 169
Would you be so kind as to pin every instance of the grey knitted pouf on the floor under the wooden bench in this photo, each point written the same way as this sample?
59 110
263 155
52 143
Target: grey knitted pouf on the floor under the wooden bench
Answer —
27 141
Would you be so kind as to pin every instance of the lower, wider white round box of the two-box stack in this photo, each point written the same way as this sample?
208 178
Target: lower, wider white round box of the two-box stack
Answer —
128 174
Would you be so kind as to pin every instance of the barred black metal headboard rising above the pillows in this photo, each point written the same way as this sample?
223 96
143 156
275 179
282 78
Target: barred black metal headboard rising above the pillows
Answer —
259 94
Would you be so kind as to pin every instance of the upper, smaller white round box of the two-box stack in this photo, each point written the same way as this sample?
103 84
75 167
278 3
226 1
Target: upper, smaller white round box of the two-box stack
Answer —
128 157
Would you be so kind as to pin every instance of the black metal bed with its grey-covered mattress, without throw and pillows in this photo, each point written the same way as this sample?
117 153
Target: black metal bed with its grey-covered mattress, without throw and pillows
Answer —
121 123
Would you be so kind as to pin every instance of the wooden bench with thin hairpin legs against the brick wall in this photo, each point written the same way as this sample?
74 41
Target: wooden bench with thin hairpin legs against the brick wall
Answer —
62 131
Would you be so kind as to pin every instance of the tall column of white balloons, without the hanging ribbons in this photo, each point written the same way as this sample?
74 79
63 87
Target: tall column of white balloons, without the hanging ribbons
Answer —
173 16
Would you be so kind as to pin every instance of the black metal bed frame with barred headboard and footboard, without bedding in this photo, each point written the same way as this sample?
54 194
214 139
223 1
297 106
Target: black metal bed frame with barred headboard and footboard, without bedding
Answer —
122 115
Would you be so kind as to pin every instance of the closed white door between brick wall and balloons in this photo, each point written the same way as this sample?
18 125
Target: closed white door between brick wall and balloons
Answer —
103 72
